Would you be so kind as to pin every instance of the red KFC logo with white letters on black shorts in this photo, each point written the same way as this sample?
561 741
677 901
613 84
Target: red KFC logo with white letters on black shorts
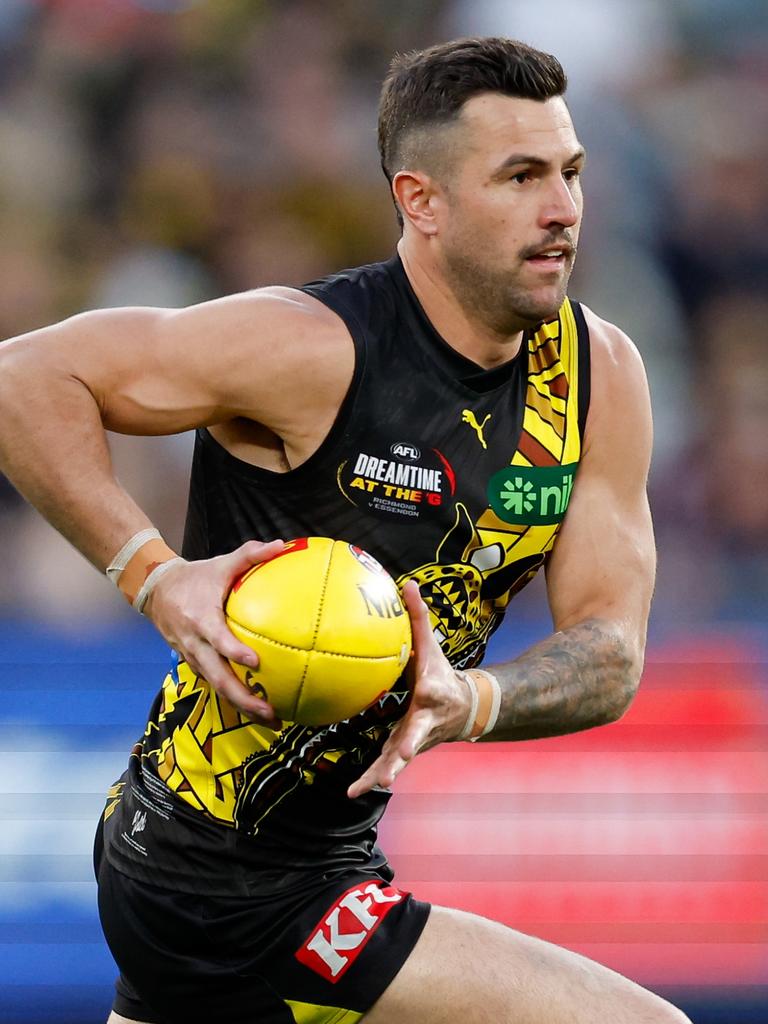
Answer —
342 935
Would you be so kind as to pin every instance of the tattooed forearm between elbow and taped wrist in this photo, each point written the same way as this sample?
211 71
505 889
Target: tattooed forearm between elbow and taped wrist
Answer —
578 678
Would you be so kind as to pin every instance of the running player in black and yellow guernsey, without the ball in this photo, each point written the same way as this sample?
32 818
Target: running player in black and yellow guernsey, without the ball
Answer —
452 412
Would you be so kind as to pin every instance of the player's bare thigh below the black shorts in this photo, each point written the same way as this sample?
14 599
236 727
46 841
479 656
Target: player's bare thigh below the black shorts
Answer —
465 968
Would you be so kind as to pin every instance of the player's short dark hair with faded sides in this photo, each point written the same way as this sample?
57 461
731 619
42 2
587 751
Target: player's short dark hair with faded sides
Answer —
429 89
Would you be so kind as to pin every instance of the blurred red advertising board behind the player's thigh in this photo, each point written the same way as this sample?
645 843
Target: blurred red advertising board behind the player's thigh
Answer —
644 844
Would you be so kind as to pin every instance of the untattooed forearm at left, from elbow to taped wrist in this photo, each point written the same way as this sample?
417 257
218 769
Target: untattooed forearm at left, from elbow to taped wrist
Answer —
54 449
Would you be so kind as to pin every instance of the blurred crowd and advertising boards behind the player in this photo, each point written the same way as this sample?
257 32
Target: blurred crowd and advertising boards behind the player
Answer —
165 152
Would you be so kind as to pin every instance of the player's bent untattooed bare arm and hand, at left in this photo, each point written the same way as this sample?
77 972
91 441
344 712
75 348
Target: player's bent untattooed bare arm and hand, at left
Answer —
275 357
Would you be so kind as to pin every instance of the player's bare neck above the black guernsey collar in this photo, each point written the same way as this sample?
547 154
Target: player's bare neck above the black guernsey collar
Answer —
461 328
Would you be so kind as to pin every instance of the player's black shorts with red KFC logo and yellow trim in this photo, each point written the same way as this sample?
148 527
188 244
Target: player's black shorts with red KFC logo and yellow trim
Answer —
321 956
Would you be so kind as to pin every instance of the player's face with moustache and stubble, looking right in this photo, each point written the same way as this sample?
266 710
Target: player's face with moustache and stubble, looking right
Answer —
508 227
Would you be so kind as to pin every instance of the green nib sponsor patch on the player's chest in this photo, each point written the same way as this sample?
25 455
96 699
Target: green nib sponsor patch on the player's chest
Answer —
532 496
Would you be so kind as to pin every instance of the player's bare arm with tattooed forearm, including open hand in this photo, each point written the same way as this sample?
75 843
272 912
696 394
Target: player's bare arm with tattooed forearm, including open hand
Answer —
600 581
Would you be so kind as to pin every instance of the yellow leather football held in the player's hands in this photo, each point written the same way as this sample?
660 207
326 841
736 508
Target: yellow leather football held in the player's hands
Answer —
329 626
